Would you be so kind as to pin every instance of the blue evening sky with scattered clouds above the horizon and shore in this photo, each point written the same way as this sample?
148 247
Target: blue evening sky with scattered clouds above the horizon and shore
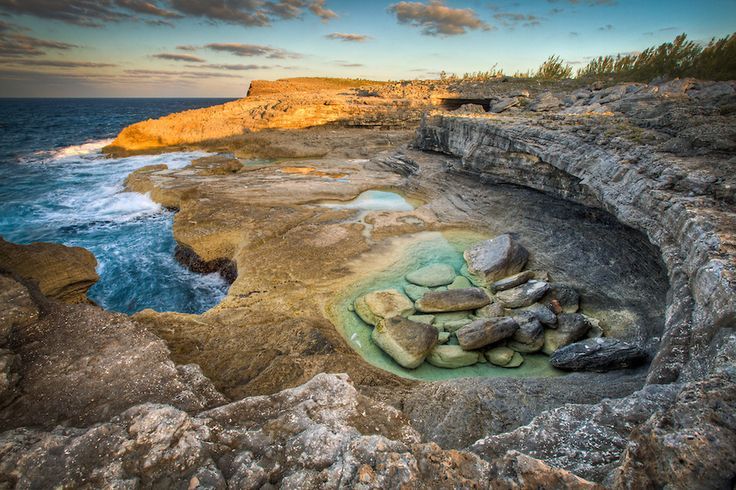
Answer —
214 48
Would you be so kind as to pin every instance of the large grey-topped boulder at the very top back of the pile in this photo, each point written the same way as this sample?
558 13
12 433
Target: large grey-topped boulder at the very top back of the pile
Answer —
495 259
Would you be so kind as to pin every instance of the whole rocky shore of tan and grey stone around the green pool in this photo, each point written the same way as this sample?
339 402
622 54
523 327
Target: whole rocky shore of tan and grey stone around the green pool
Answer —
622 193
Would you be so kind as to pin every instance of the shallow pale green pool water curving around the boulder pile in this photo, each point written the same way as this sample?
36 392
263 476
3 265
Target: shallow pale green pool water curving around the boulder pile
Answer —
428 248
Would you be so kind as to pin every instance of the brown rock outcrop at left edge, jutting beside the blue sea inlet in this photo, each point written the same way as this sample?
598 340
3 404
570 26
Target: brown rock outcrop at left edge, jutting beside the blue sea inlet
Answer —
62 273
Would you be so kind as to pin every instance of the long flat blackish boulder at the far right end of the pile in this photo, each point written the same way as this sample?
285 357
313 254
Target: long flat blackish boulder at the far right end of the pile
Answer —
598 355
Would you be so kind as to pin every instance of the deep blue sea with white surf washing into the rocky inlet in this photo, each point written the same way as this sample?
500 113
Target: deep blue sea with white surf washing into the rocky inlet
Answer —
55 186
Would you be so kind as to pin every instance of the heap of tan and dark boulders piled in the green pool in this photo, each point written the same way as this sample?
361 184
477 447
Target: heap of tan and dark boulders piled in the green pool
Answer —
493 311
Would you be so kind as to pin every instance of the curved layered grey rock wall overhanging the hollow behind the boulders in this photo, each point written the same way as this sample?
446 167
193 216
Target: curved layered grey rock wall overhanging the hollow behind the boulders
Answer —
651 191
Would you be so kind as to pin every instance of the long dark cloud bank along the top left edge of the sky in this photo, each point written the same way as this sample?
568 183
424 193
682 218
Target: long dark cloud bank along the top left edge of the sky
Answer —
95 13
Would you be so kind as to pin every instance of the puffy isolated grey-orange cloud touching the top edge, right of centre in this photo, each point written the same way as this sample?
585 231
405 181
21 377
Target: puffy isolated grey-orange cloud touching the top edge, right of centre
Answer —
437 19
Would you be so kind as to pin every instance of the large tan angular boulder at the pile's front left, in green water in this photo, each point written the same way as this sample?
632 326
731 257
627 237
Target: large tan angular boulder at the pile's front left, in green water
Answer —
407 342
